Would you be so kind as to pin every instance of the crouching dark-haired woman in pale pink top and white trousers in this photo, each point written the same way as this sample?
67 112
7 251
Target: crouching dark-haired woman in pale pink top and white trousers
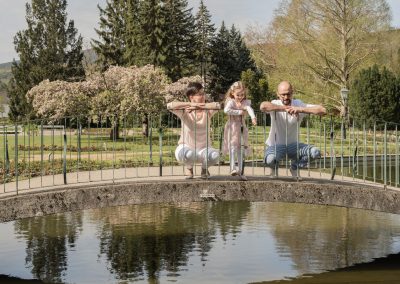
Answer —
195 116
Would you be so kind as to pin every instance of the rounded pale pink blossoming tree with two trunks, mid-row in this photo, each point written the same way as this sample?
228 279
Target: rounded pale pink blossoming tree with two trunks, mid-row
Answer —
127 90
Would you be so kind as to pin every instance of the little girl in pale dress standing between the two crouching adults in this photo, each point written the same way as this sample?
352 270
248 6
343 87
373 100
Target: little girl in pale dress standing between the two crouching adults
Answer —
237 107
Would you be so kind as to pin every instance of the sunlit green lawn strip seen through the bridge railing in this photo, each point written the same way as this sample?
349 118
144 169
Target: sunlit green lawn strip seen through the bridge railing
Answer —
136 144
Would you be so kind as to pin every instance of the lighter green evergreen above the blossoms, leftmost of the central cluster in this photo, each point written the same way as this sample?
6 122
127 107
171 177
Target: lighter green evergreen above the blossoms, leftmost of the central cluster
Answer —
110 49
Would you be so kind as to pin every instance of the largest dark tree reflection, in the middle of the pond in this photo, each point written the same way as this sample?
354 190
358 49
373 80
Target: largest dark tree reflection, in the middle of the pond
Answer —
140 241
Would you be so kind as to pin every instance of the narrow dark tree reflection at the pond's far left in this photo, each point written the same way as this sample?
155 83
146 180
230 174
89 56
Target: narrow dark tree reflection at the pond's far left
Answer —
46 239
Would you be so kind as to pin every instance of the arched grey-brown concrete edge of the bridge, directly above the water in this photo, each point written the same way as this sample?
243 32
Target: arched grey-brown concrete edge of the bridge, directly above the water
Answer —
82 197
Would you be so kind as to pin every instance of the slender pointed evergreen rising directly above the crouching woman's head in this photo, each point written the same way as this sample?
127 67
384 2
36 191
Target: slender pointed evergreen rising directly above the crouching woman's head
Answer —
205 32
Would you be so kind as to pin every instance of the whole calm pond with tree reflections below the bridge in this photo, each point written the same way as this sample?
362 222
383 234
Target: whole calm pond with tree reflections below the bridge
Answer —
207 242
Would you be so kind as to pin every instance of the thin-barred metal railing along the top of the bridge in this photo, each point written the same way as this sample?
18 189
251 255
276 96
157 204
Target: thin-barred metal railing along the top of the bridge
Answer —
42 153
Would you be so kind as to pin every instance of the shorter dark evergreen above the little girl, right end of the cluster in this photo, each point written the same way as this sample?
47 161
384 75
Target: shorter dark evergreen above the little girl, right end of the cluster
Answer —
230 57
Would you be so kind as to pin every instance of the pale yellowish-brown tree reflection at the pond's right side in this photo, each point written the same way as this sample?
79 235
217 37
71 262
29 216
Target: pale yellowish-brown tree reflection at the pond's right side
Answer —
319 238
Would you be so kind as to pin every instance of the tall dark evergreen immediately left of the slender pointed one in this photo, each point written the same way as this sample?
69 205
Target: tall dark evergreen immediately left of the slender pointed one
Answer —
179 39
